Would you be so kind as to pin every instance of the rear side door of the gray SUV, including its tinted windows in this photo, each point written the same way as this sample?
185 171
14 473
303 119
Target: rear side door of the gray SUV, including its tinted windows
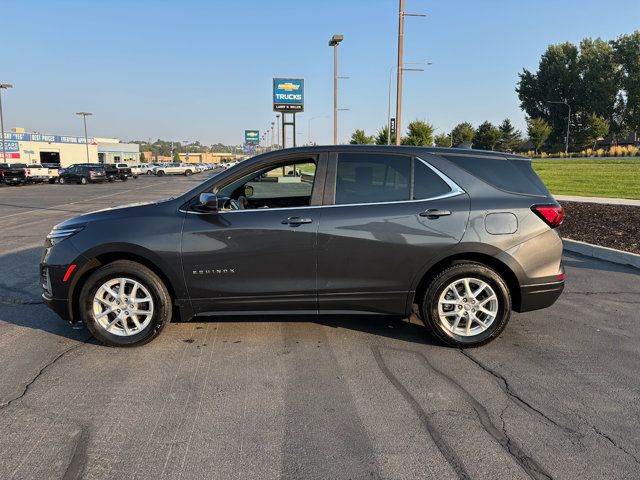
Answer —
385 217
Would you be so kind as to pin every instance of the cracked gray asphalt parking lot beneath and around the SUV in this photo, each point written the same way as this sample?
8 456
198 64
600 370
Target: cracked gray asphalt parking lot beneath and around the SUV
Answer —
556 396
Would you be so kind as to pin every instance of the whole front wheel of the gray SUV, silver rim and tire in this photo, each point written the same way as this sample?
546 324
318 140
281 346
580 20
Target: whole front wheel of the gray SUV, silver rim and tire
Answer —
125 304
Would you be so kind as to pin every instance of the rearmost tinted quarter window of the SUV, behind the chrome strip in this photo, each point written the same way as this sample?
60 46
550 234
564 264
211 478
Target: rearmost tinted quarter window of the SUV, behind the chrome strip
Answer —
511 175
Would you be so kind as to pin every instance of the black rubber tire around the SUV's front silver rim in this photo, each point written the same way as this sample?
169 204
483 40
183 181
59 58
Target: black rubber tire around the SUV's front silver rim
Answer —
140 273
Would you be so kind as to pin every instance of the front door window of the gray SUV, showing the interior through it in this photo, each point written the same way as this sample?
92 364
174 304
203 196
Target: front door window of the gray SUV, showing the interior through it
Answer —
285 186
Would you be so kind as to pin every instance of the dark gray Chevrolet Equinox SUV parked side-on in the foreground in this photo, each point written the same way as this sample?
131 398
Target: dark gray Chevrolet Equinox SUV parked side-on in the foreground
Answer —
462 237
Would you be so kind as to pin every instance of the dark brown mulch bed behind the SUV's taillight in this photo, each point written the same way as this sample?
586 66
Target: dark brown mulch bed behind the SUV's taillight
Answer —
613 226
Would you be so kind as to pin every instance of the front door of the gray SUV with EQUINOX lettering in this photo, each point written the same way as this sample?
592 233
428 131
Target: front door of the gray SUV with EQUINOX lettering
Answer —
258 252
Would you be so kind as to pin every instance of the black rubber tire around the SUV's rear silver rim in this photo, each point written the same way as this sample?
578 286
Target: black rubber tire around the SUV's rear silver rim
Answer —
429 310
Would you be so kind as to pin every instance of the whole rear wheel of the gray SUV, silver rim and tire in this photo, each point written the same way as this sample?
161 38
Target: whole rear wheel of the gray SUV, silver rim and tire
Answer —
467 305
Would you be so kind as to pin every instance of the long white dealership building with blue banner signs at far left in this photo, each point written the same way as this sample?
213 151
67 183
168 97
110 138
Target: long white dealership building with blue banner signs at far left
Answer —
65 150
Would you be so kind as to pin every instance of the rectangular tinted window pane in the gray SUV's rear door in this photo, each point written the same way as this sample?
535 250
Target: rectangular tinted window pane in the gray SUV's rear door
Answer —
371 178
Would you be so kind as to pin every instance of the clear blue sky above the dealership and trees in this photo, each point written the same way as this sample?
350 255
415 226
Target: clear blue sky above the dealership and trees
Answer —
202 70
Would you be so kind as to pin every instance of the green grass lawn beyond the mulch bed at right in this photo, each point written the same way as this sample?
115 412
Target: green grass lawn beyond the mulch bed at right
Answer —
591 178
